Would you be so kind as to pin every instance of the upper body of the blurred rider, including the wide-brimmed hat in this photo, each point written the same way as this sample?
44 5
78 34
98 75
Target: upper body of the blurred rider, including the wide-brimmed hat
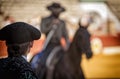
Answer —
53 22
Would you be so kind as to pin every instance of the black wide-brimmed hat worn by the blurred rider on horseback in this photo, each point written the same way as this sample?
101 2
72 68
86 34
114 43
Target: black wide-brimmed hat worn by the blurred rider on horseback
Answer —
56 6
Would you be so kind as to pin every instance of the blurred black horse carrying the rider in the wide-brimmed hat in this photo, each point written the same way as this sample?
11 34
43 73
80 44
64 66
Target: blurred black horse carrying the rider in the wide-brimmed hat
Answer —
62 64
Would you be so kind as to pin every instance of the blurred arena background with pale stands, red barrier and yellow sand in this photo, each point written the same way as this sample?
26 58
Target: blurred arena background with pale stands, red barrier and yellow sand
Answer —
105 29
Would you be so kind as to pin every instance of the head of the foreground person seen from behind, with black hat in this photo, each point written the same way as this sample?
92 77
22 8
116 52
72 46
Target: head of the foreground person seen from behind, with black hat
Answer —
19 37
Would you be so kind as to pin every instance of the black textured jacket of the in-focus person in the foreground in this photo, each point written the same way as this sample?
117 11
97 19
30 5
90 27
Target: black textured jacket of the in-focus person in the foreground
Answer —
15 68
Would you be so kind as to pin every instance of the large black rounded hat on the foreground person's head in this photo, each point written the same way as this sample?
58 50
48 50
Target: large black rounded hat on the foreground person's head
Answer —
19 32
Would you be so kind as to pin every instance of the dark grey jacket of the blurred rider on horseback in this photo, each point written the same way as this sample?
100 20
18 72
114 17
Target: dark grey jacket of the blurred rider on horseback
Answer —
61 31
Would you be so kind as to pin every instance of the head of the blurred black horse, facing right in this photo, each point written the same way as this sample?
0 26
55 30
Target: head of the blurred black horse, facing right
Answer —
82 43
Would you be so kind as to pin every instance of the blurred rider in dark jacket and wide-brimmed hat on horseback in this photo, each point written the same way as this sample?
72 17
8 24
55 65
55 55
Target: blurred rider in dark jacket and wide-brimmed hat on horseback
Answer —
48 25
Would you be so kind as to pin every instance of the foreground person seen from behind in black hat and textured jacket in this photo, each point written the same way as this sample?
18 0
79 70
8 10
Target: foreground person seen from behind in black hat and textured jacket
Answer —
19 39
